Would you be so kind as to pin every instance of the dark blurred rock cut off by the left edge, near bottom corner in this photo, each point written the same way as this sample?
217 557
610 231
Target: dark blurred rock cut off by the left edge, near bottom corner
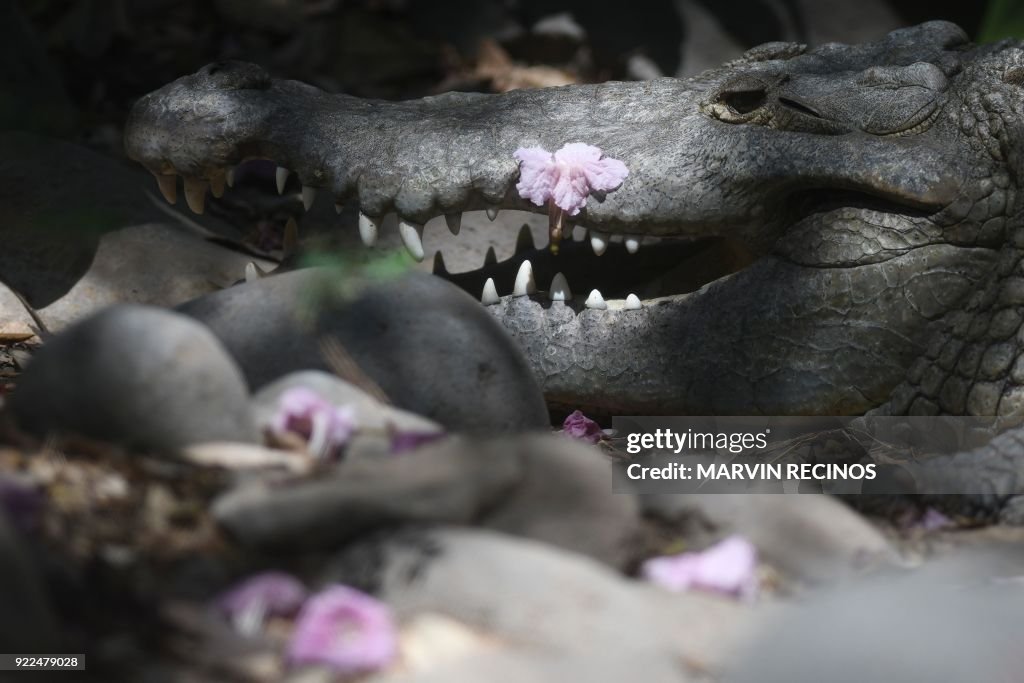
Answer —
27 622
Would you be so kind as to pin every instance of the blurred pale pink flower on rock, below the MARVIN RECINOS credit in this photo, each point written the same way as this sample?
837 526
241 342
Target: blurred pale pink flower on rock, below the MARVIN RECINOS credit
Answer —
729 568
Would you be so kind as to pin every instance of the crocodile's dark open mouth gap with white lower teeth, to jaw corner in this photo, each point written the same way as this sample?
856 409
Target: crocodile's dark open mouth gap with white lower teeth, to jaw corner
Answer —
629 272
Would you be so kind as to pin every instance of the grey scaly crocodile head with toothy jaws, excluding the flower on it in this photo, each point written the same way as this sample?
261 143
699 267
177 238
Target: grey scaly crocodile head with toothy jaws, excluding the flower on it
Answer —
822 217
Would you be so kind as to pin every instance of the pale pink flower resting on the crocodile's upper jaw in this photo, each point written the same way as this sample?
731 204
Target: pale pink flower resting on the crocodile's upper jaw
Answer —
569 177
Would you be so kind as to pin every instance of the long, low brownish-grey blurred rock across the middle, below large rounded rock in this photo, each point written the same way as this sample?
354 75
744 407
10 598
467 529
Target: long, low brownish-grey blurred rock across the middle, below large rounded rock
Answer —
543 488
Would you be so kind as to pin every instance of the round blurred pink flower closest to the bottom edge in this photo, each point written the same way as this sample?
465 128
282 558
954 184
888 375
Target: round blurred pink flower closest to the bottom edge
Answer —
347 630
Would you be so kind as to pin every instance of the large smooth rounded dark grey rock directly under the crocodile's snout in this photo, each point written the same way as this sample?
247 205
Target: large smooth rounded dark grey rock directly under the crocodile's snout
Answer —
430 347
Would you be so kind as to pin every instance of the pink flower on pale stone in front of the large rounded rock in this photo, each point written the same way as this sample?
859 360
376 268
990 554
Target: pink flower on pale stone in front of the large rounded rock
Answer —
326 428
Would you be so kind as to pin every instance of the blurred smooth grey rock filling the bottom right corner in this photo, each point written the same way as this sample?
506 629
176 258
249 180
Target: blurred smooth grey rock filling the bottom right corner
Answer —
941 625
